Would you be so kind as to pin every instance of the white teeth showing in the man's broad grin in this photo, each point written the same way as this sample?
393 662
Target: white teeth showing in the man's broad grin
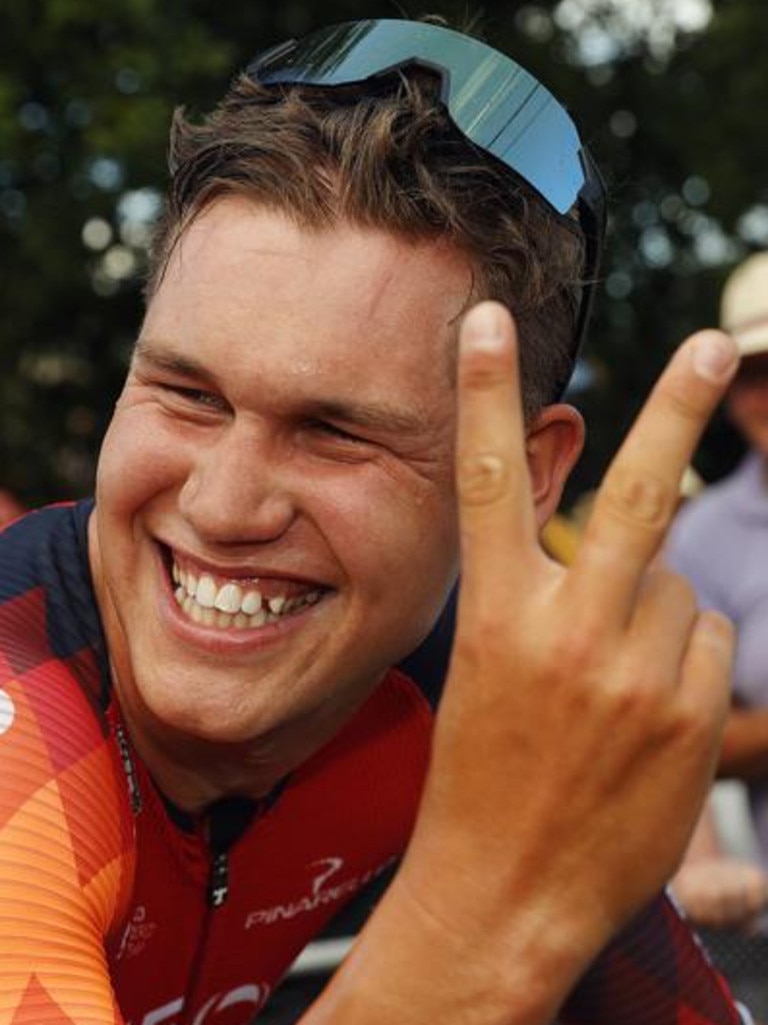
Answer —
230 605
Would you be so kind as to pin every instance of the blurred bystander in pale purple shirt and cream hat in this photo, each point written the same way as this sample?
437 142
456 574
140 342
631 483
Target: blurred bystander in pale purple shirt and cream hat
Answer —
720 543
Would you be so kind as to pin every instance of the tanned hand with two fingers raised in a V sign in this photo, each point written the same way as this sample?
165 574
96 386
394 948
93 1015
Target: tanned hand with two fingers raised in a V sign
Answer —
579 731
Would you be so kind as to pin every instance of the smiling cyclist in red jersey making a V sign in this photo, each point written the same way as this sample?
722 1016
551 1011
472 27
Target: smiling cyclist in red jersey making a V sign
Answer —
220 680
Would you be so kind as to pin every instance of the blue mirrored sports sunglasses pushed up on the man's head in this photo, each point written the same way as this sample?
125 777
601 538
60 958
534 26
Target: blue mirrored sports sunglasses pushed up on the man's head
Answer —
494 102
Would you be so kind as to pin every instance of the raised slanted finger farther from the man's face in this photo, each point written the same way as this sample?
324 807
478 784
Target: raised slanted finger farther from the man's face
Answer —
640 494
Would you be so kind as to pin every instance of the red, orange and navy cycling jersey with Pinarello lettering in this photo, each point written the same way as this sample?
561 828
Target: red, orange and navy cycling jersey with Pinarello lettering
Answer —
115 909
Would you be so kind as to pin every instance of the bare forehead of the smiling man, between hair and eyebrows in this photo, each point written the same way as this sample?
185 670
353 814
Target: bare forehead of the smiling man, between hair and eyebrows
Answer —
347 300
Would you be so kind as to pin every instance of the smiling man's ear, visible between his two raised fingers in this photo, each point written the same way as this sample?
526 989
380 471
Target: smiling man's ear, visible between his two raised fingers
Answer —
553 445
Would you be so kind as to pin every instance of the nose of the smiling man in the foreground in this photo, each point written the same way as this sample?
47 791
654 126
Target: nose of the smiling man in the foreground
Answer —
238 489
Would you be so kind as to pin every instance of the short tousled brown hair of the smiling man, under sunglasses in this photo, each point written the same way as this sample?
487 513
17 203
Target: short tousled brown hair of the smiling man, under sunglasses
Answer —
388 158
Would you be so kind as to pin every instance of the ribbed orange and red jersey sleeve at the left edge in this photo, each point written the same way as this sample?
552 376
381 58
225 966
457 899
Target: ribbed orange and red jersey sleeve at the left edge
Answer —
65 855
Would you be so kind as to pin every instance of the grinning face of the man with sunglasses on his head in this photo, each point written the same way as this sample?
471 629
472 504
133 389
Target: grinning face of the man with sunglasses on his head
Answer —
276 517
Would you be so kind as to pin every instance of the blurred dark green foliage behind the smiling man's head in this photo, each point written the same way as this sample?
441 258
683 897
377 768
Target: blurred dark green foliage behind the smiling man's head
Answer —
675 113
